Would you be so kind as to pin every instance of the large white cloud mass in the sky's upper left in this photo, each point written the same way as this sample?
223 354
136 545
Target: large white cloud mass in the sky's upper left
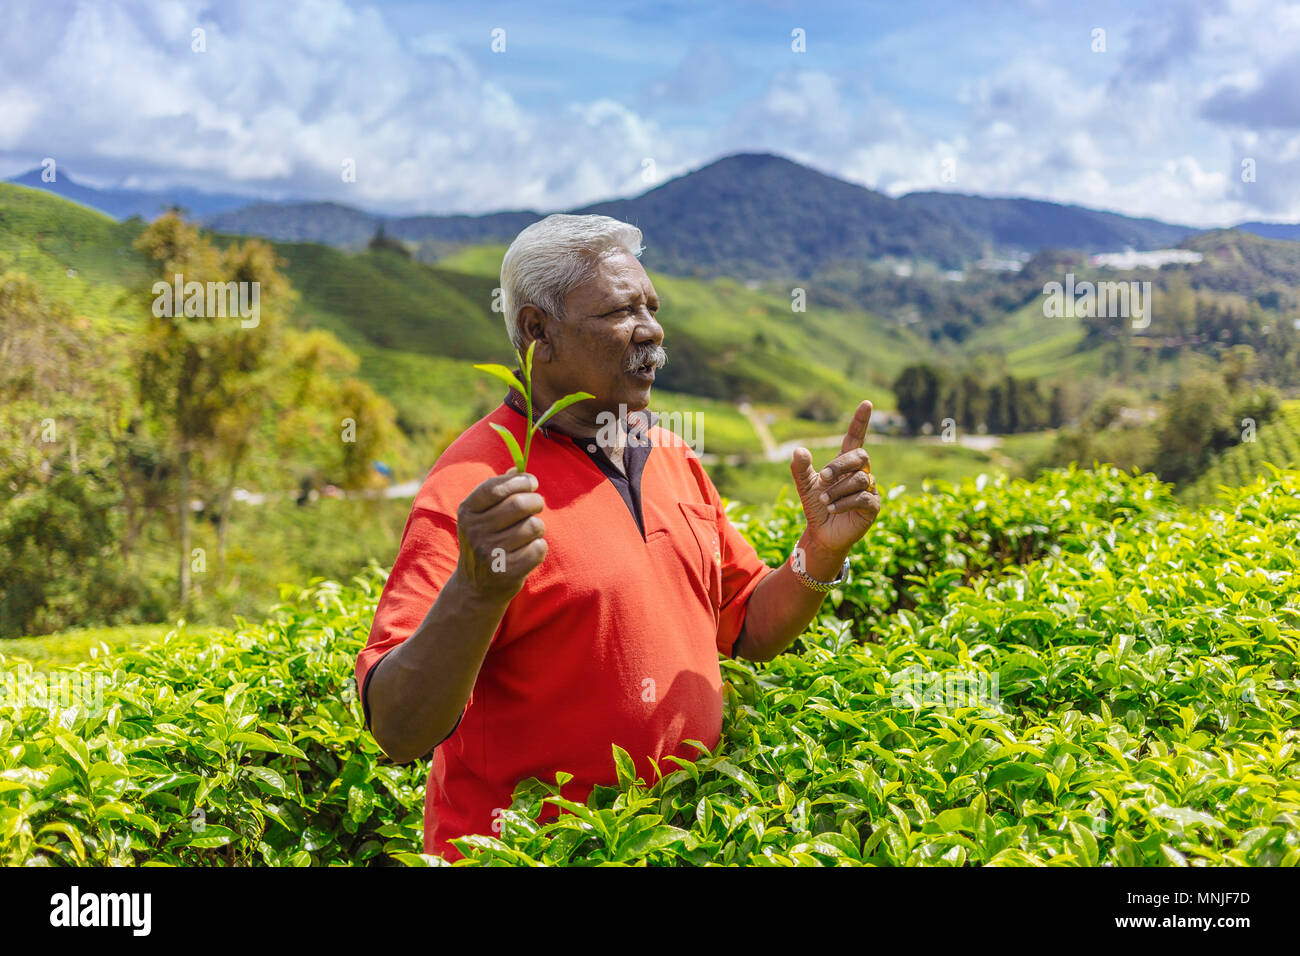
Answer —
279 102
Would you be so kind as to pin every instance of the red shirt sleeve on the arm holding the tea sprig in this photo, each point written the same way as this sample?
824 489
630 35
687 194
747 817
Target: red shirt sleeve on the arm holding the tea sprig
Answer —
426 560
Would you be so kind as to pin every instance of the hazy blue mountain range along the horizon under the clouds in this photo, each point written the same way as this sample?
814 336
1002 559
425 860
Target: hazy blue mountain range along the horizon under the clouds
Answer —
749 215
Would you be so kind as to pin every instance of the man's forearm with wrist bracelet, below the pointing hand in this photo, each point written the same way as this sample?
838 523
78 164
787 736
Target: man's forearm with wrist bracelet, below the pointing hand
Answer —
782 605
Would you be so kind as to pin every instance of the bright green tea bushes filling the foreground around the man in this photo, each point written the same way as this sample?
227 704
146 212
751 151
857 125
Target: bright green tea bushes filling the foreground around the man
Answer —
1072 672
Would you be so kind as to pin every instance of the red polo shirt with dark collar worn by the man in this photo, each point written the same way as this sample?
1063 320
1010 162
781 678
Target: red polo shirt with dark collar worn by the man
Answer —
614 638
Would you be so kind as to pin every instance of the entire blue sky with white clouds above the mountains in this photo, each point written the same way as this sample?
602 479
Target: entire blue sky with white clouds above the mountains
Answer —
596 101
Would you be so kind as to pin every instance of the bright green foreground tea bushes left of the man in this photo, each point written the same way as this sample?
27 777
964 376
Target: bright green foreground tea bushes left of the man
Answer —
240 750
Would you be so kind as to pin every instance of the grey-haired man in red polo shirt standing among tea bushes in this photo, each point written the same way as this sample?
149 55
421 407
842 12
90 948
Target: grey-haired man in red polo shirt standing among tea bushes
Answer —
534 620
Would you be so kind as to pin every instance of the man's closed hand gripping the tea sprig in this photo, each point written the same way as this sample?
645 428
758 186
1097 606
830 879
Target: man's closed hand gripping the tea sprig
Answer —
501 535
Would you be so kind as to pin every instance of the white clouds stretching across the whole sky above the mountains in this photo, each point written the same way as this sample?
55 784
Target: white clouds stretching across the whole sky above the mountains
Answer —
280 101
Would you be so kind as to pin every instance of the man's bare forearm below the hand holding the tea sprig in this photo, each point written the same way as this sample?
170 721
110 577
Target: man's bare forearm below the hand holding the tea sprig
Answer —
419 689
